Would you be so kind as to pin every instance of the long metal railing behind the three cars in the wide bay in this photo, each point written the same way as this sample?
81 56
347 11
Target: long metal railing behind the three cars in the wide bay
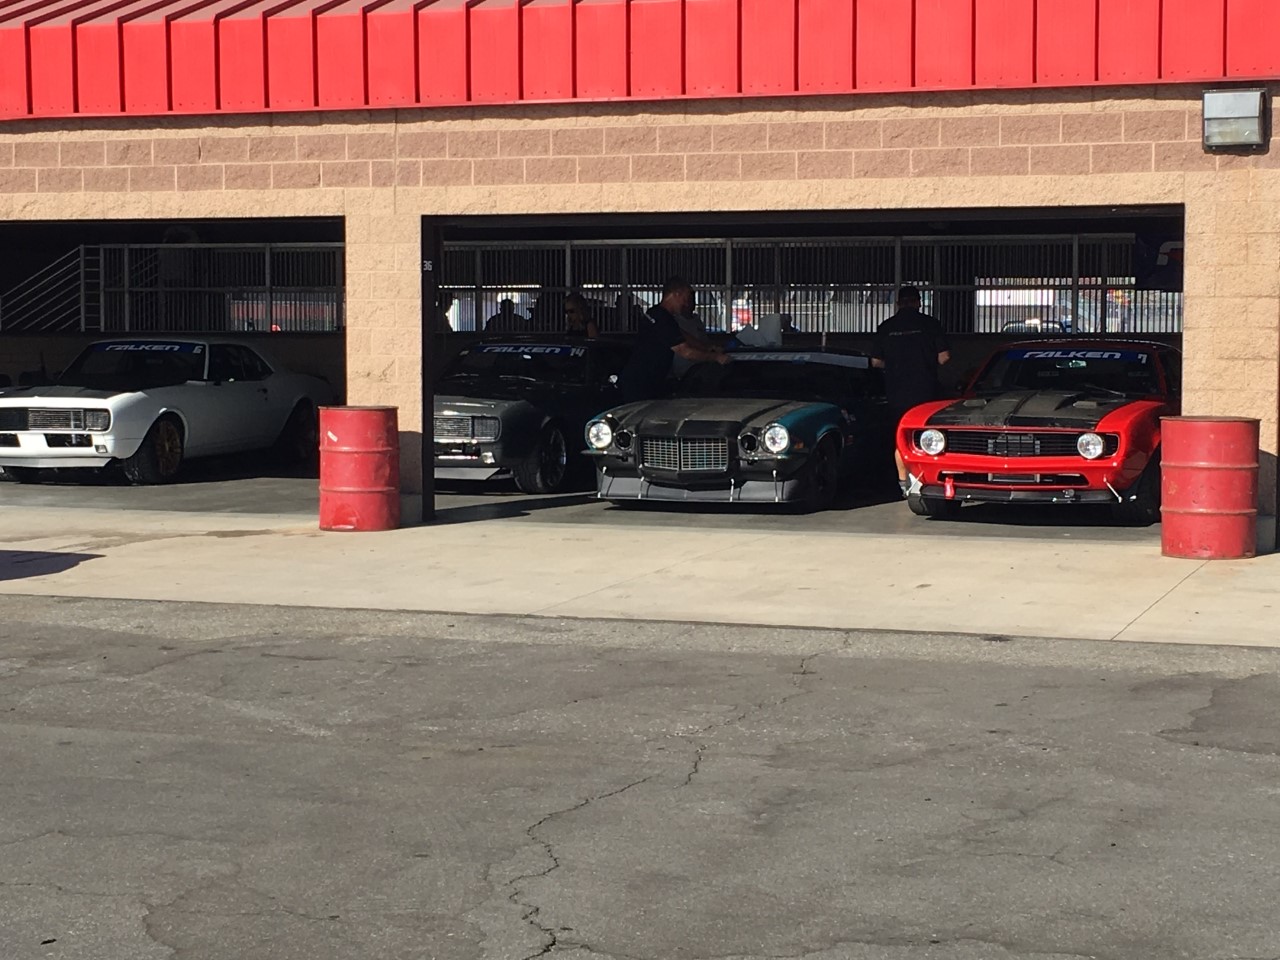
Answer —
1026 285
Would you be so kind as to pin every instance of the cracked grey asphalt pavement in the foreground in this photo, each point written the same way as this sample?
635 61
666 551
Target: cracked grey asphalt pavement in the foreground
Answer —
226 783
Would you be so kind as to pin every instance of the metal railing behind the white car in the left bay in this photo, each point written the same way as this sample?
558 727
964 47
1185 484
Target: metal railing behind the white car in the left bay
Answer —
184 289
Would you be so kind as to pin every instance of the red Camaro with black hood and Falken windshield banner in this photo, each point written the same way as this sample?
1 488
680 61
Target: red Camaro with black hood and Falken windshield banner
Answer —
1053 422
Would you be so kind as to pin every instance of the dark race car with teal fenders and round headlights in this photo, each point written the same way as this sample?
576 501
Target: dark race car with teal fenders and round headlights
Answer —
772 427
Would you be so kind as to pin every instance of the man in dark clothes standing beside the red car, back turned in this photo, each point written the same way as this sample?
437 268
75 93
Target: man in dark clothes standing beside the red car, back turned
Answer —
911 348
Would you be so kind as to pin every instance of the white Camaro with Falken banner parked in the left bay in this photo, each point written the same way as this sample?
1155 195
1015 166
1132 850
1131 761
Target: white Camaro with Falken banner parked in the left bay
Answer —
153 404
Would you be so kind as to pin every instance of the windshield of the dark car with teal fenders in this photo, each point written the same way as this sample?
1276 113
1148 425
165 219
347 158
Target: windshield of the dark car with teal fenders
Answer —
778 377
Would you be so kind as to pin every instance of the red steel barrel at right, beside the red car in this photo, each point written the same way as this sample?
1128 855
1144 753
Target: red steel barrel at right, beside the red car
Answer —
1209 488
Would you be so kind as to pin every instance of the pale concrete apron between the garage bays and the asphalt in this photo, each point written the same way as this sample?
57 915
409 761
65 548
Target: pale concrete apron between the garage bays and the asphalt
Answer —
870 582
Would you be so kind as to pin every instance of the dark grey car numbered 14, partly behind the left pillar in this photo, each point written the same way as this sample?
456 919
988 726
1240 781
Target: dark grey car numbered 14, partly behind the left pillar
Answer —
516 408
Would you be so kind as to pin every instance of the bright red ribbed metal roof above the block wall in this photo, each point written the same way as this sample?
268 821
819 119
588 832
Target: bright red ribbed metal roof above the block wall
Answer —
65 58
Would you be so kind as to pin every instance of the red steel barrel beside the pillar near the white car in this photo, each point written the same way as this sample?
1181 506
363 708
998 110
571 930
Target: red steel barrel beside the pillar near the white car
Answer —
359 469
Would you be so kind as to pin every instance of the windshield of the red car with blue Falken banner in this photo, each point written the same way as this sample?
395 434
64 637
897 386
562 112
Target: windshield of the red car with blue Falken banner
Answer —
1123 373
